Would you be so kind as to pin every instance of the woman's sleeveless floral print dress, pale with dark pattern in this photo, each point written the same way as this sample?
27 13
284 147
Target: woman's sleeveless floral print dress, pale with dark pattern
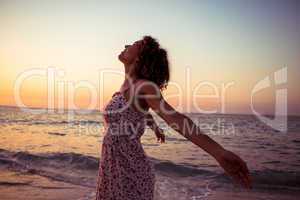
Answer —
125 172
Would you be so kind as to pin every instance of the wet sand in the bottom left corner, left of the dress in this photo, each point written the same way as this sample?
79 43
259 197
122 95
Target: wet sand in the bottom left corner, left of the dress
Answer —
34 187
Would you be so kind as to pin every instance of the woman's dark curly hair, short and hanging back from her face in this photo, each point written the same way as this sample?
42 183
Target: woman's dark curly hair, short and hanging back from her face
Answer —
152 63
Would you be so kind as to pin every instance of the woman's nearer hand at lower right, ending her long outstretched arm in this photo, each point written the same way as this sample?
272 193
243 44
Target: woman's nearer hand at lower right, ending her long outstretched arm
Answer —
235 167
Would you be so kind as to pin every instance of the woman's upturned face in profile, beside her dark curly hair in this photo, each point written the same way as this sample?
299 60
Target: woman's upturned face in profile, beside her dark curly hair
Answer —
130 53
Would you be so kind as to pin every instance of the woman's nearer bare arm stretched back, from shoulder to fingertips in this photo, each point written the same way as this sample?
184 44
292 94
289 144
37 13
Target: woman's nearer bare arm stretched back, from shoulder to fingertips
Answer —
232 164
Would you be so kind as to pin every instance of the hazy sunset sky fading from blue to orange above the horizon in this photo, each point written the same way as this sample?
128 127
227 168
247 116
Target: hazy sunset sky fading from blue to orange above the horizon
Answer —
236 43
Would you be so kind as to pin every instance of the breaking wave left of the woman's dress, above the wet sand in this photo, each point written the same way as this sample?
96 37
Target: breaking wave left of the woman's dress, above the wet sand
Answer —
66 167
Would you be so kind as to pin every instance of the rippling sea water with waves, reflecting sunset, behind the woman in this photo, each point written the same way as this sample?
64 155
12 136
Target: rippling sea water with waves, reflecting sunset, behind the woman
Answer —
65 148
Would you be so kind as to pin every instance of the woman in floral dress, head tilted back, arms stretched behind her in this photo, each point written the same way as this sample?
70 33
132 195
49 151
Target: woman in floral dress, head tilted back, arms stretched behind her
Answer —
125 172
